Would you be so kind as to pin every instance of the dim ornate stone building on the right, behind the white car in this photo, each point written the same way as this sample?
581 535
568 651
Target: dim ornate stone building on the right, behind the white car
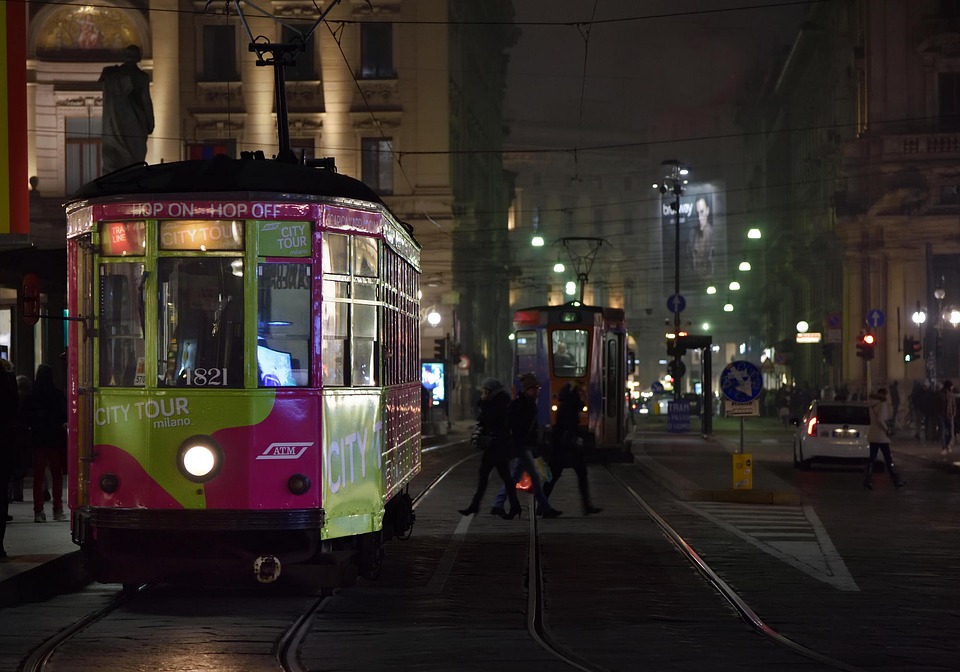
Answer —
855 143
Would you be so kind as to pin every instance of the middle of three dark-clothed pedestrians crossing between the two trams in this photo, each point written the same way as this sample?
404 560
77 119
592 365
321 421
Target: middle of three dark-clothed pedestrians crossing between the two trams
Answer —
522 418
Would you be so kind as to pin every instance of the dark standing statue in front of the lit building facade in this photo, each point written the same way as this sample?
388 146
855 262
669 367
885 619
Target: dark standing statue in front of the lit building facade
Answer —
127 112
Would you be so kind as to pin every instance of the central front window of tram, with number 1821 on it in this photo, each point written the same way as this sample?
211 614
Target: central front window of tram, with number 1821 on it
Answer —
200 322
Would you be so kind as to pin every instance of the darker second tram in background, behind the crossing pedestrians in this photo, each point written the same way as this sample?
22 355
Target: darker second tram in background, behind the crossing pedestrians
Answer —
575 343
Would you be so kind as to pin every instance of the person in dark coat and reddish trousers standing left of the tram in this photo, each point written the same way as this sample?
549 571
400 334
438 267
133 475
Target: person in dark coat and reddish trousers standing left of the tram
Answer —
46 414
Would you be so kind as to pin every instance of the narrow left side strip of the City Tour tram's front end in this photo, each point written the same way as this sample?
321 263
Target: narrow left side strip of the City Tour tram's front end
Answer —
84 330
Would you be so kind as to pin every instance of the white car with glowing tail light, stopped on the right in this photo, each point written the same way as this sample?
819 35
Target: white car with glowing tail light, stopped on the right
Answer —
832 431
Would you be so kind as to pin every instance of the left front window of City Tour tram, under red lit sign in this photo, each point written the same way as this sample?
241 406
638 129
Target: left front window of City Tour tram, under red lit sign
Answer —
121 325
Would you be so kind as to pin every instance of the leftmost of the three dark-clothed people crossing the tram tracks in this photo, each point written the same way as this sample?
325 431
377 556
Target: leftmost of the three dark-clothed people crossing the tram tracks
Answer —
493 436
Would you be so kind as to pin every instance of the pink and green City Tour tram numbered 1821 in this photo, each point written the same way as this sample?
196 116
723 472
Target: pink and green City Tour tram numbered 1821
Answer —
244 373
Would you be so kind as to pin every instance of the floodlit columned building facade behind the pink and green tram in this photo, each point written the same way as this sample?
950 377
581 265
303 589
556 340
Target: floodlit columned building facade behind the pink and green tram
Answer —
386 88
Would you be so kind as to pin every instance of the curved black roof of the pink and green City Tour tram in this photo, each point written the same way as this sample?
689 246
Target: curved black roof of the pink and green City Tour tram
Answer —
224 174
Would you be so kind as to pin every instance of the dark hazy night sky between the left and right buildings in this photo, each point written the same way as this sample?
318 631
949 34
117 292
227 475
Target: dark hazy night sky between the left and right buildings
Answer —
641 72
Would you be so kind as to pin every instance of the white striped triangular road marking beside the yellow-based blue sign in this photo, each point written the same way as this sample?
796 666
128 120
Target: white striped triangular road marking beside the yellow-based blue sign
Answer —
793 534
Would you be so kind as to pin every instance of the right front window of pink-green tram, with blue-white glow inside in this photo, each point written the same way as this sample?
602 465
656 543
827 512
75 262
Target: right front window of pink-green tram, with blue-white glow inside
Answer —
283 324
